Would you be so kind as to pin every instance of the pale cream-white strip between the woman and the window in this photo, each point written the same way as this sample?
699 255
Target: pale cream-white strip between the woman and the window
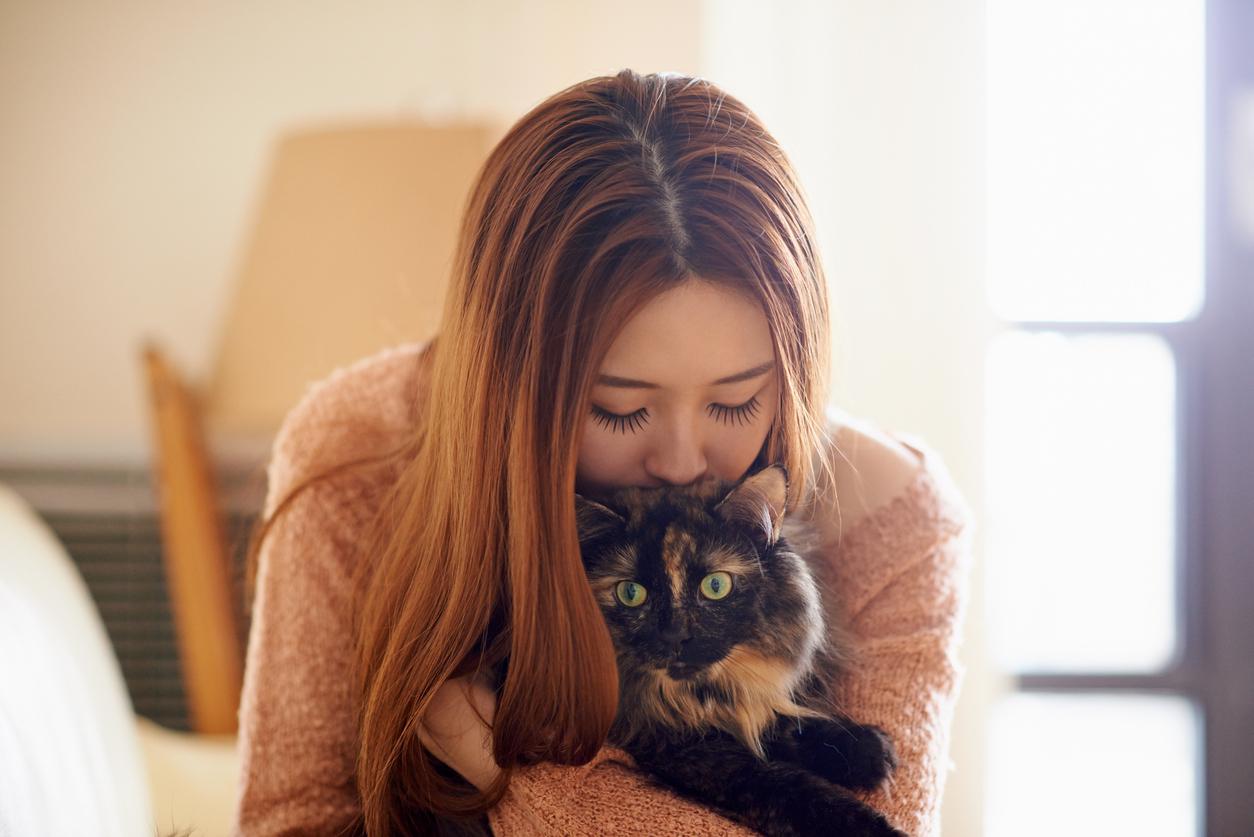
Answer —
881 106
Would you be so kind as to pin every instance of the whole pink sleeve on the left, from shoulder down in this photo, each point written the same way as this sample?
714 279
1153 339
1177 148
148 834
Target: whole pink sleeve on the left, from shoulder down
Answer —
298 738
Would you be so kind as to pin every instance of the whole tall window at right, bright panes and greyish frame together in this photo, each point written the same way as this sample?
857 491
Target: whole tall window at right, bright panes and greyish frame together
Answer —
1120 411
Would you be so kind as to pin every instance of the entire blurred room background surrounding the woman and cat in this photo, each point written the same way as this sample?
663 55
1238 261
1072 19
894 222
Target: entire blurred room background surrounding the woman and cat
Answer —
1039 224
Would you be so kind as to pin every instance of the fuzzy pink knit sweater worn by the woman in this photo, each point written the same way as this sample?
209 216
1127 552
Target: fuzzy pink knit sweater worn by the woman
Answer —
904 572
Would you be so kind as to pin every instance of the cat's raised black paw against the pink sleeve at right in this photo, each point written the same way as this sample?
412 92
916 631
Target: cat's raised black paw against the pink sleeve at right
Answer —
855 756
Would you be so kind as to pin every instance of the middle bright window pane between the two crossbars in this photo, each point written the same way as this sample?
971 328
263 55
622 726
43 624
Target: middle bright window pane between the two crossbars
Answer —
1080 498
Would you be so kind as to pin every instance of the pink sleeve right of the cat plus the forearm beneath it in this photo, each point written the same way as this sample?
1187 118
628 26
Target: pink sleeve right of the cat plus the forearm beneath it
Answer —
902 573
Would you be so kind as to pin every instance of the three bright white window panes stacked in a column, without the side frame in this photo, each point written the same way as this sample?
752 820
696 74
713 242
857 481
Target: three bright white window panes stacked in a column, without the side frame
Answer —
1095 204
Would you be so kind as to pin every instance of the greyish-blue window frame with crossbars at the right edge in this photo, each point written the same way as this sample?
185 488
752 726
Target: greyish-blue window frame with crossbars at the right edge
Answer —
1214 493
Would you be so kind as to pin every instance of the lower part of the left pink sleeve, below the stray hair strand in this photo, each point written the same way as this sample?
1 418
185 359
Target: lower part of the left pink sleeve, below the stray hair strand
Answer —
298 741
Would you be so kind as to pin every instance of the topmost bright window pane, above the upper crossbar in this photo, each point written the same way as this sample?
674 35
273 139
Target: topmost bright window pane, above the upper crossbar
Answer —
1095 119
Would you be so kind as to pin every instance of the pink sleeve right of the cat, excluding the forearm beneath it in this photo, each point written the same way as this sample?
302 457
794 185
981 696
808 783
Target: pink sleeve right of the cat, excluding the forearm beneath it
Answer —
902 578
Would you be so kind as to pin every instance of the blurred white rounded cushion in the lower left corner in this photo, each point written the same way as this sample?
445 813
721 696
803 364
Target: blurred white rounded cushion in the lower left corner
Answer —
71 761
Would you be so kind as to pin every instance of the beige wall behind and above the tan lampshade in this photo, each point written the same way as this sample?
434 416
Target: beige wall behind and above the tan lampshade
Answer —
135 144
